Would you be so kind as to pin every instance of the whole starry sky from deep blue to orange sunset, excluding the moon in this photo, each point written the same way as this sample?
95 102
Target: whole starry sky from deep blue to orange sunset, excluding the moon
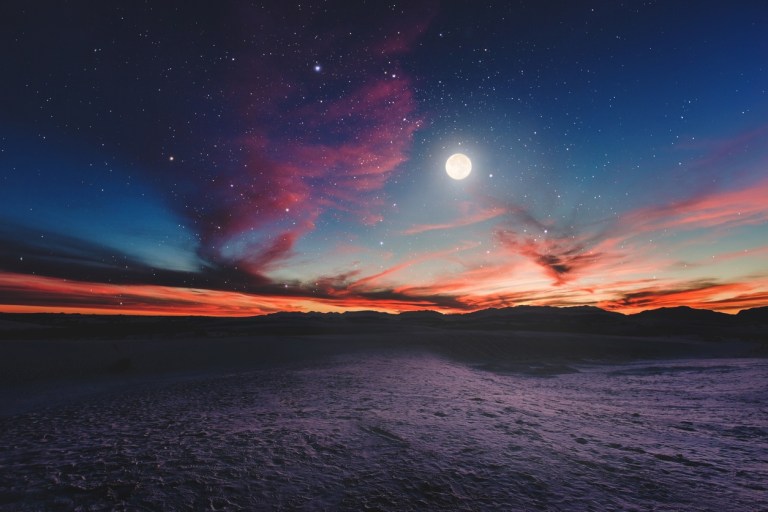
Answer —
238 158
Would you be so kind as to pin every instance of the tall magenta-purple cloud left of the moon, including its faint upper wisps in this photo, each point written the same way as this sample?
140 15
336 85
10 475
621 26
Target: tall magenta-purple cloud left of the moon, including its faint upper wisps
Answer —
303 151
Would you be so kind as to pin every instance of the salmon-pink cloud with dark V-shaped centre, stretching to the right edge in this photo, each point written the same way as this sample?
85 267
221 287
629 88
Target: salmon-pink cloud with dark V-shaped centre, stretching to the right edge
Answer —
610 250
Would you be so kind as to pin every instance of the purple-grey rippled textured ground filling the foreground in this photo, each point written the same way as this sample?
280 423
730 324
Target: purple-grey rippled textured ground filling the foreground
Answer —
406 431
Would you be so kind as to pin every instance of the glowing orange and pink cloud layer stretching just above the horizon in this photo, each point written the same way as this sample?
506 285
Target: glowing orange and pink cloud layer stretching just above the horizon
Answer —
555 269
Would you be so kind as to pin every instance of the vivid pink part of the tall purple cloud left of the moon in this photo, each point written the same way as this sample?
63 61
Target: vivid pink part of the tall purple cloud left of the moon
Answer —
343 152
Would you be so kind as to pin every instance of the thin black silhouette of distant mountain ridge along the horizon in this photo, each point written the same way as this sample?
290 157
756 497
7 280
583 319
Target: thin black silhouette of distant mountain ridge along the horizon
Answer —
674 321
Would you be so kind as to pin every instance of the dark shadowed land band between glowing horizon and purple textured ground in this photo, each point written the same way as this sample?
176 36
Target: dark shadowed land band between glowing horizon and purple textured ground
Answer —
548 339
